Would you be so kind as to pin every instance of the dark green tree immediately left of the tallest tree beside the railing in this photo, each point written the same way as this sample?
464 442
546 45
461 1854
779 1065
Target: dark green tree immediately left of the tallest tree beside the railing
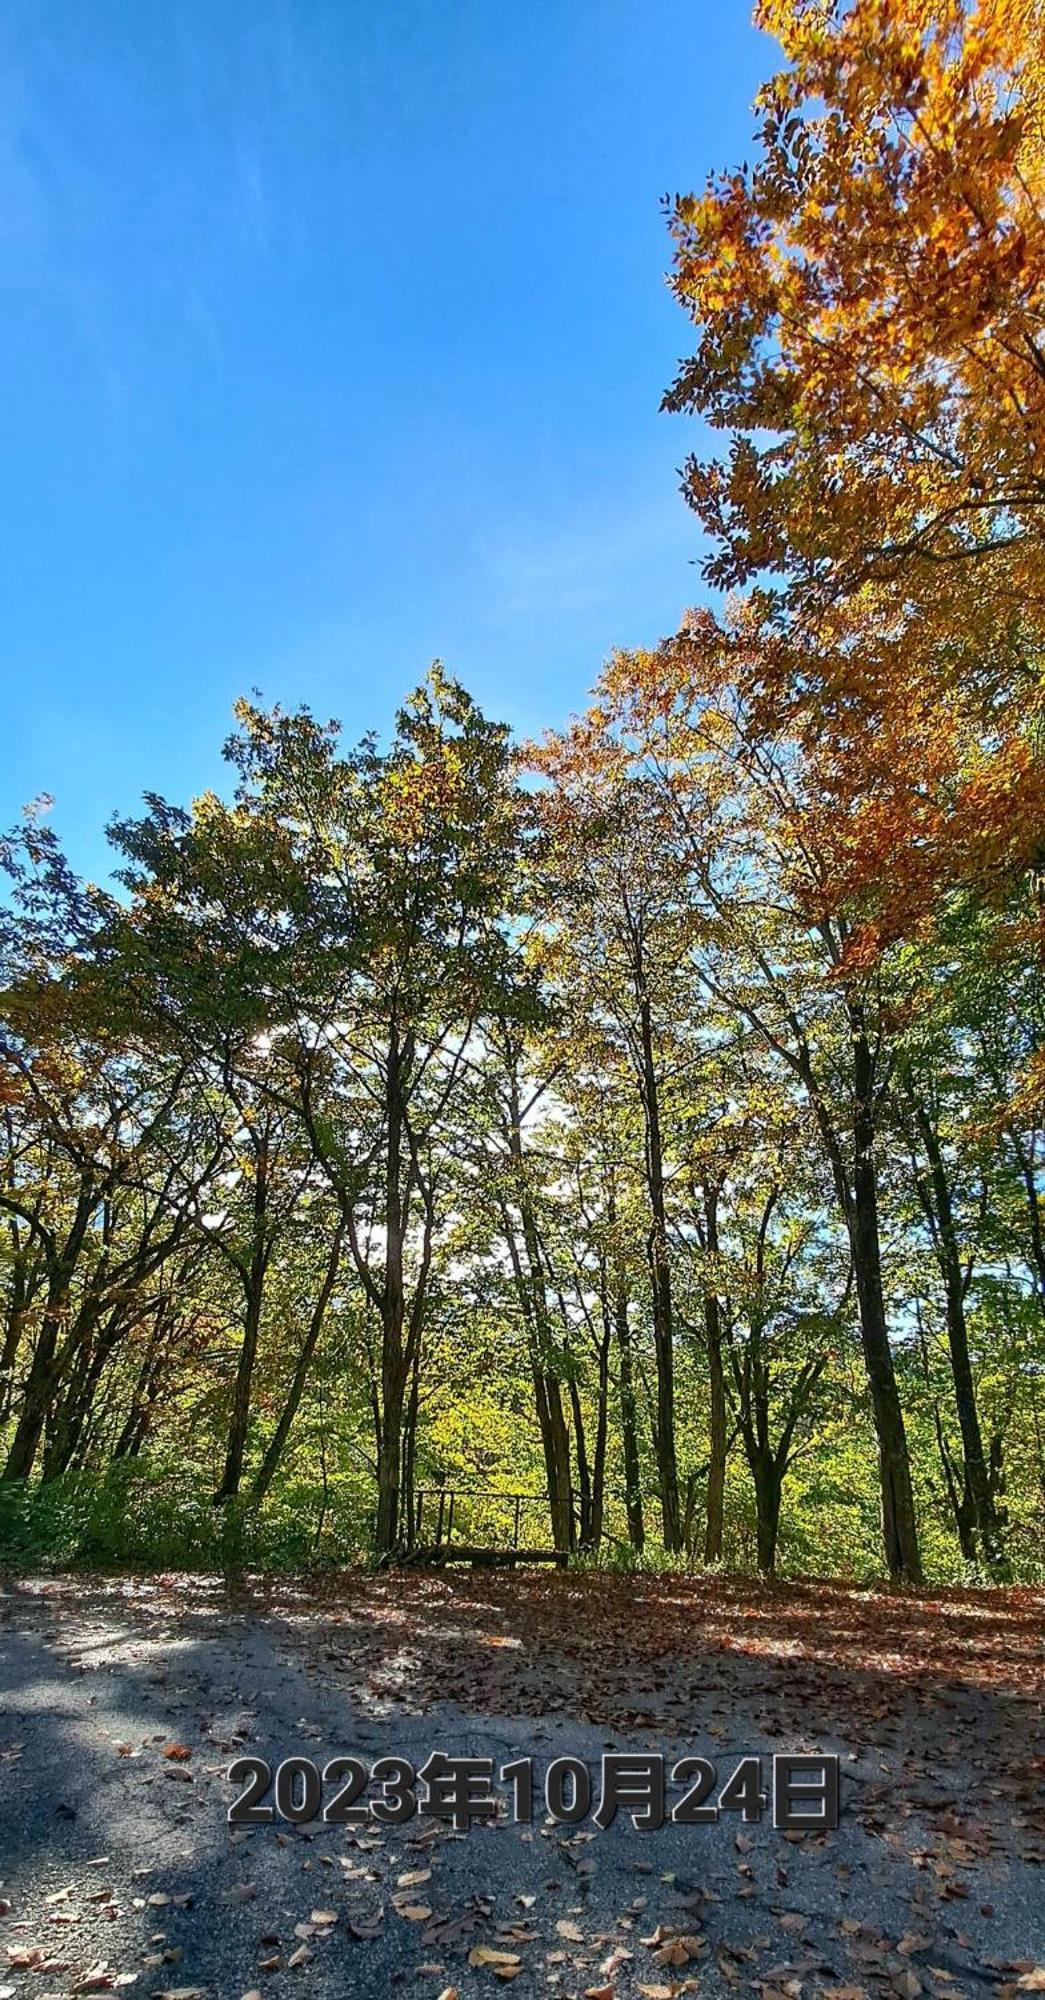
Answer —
199 965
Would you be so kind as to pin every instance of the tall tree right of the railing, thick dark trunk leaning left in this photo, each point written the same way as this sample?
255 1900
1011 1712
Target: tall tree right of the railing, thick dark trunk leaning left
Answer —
746 819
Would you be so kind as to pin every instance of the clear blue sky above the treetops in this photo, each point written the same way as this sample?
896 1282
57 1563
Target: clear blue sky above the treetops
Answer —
331 341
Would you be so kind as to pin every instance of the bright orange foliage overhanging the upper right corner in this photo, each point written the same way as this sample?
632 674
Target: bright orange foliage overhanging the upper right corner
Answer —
870 303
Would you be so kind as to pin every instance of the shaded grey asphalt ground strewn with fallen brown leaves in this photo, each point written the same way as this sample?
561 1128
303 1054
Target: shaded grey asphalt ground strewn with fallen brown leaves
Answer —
119 1867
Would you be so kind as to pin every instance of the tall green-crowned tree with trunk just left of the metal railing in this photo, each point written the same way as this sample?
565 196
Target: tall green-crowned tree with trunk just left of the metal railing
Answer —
397 949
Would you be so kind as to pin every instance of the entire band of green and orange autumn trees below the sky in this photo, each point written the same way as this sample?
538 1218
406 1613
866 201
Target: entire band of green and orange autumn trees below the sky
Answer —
652 1119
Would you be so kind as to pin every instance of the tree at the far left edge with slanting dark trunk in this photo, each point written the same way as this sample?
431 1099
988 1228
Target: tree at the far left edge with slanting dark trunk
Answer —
87 1185
